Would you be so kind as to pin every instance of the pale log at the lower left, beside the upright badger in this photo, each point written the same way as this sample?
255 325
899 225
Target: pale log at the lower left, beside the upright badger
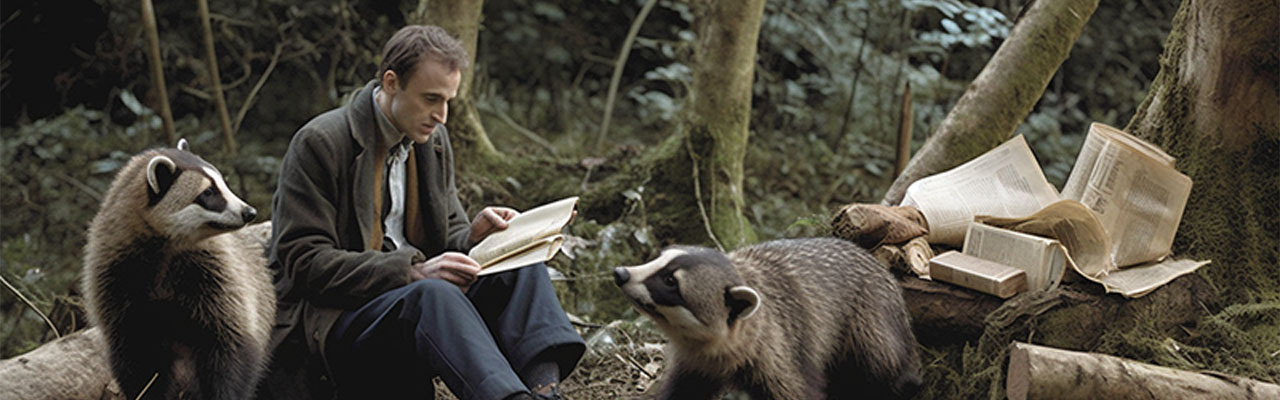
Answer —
72 367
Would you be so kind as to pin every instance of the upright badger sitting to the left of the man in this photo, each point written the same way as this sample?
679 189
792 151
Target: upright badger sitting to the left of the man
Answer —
185 303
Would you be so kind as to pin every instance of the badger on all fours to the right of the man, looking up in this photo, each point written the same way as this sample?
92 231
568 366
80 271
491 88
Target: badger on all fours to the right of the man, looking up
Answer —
807 319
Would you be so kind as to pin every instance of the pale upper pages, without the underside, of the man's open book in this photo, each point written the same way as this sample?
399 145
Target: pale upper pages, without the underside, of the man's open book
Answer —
528 228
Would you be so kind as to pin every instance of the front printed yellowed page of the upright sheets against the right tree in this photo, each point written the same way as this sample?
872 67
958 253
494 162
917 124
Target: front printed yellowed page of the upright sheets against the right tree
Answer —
1140 202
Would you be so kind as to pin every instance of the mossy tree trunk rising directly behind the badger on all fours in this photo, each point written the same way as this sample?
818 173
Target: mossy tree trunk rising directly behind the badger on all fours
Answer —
698 172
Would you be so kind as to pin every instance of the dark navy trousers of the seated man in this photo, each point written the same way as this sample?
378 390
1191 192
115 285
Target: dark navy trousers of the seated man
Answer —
394 346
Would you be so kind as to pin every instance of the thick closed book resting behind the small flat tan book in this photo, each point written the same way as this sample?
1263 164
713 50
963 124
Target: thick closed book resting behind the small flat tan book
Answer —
1041 258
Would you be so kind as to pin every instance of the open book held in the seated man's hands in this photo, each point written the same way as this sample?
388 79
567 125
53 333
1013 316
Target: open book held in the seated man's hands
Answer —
534 237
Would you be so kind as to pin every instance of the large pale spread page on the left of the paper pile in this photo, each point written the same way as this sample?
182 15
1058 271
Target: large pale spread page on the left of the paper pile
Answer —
1005 183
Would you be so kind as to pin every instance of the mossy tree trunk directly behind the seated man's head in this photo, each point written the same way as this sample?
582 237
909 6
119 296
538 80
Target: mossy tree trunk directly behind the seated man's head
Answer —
461 19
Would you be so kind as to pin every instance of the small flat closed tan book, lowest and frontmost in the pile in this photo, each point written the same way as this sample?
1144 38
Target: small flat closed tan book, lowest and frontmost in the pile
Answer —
972 272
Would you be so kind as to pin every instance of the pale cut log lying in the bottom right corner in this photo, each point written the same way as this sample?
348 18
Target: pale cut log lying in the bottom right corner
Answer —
1039 372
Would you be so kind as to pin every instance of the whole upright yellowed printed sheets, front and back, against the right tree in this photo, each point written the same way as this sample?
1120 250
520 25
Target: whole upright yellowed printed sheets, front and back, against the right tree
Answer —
1136 192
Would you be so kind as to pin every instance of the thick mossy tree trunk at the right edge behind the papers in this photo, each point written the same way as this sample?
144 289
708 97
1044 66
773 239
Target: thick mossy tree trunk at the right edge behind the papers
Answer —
1215 107
